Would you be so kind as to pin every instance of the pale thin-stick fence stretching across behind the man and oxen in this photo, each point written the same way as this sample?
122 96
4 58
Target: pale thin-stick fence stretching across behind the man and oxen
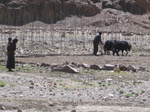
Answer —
48 40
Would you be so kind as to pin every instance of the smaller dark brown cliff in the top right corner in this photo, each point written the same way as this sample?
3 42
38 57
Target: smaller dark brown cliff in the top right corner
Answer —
132 6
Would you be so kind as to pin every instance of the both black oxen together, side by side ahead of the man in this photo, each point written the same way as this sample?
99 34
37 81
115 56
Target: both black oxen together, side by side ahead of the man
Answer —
115 46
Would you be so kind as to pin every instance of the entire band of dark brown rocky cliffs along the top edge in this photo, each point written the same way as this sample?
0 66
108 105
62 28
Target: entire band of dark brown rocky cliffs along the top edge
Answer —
20 12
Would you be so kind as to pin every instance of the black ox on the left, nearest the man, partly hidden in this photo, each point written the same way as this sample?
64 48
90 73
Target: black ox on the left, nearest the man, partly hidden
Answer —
108 46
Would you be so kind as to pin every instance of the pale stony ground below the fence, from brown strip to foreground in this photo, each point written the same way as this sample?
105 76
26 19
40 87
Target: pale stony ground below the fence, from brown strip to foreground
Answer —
87 91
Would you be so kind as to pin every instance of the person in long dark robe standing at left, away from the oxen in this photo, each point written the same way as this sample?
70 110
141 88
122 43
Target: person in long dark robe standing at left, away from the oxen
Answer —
11 47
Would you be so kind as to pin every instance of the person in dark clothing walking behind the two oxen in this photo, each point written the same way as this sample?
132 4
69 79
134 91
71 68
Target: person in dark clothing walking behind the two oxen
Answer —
96 42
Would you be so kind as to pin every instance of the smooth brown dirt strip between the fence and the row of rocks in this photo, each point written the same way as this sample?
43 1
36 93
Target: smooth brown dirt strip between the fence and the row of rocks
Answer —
137 61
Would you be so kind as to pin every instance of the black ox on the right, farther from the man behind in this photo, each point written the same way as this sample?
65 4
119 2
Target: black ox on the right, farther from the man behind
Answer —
121 46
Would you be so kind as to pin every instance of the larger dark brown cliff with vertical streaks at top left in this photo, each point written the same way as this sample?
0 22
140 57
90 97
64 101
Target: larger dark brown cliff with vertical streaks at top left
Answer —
19 12
